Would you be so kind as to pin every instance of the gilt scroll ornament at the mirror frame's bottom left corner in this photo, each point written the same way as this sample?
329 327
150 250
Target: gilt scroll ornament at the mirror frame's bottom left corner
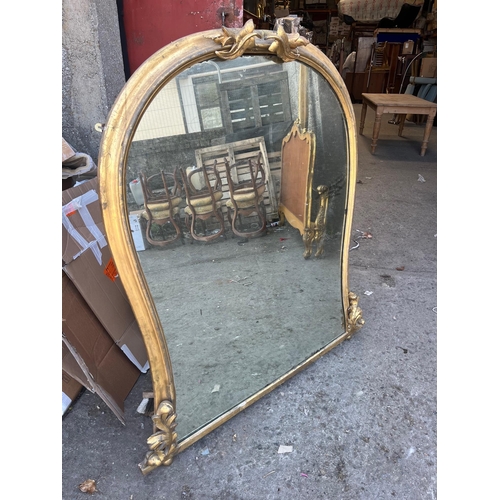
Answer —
163 443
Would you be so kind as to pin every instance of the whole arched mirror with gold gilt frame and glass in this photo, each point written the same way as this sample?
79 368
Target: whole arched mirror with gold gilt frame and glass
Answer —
227 174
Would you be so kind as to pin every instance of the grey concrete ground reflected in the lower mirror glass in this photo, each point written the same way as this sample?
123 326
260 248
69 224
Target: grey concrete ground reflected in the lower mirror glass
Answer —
239 313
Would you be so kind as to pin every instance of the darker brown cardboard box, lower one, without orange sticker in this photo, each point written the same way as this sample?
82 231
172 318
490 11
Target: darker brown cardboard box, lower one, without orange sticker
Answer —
90 355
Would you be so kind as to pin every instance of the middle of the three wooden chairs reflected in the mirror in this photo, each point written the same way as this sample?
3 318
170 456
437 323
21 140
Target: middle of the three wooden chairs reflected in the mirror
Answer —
203 190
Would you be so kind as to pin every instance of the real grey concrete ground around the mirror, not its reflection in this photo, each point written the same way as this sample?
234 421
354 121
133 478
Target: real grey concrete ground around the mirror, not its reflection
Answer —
361 420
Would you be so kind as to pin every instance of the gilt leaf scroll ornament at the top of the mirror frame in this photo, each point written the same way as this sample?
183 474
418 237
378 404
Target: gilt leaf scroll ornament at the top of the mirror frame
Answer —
236 42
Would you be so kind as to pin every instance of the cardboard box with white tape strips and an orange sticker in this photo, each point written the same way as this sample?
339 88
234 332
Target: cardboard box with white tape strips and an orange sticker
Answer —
88 262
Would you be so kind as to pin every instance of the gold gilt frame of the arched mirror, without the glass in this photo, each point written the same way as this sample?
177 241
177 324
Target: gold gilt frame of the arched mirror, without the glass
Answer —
118 132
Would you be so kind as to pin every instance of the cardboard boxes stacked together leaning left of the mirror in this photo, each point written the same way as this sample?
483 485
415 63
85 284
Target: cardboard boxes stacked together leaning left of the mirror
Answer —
103 349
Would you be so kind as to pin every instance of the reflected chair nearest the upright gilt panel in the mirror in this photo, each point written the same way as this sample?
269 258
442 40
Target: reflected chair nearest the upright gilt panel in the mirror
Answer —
246 198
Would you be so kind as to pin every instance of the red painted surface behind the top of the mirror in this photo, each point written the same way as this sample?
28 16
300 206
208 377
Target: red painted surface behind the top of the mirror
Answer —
151 24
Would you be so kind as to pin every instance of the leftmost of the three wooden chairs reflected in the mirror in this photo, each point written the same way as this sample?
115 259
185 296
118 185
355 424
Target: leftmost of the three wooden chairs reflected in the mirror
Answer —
162 197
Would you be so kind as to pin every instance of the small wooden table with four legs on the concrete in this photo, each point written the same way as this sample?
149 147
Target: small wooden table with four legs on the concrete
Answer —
401 105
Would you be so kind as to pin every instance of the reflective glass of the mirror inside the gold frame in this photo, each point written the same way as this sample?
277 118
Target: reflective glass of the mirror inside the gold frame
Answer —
238 310
